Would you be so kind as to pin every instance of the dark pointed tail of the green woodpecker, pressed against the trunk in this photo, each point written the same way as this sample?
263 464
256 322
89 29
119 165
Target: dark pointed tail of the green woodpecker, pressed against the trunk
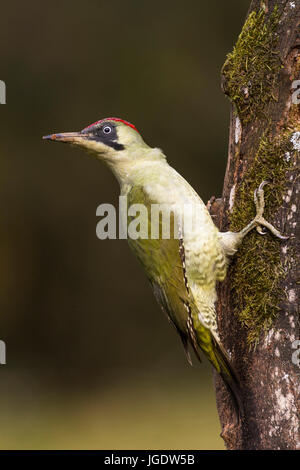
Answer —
229 377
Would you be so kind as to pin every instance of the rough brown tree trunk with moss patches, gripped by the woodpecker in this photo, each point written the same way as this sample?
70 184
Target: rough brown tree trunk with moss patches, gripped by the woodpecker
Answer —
258 311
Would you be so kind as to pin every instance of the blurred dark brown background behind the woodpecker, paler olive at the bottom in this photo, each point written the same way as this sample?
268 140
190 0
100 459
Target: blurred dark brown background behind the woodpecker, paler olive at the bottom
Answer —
91 360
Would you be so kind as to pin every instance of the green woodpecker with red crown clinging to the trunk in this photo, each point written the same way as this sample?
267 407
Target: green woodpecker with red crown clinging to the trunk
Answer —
182 270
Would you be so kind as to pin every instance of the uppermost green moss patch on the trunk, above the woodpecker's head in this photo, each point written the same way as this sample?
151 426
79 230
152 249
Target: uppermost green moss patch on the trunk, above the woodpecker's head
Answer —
251 70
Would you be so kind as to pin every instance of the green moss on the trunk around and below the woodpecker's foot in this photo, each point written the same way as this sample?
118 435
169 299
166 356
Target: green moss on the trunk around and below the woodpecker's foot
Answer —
258 268
